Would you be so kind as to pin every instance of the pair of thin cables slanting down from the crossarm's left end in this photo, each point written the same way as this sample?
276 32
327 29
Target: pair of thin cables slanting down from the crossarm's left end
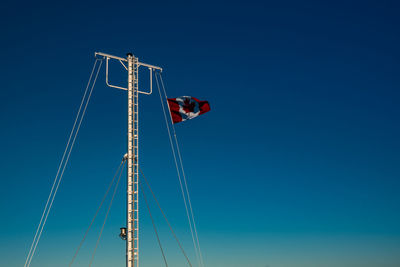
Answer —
63 163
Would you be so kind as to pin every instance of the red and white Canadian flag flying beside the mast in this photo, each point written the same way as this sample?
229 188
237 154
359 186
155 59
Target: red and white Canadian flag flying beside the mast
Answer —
186 107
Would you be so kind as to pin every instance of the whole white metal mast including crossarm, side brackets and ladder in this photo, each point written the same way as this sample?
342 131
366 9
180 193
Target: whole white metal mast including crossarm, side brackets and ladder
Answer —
132 157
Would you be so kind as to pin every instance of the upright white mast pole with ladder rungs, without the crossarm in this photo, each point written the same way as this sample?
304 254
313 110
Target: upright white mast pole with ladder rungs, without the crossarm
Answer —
132 240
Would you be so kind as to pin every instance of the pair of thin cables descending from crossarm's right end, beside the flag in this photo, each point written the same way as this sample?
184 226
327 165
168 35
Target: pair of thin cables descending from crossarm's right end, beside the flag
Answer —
190 215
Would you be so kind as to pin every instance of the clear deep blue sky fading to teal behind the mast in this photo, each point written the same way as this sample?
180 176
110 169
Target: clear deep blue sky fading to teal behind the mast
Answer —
297 164
